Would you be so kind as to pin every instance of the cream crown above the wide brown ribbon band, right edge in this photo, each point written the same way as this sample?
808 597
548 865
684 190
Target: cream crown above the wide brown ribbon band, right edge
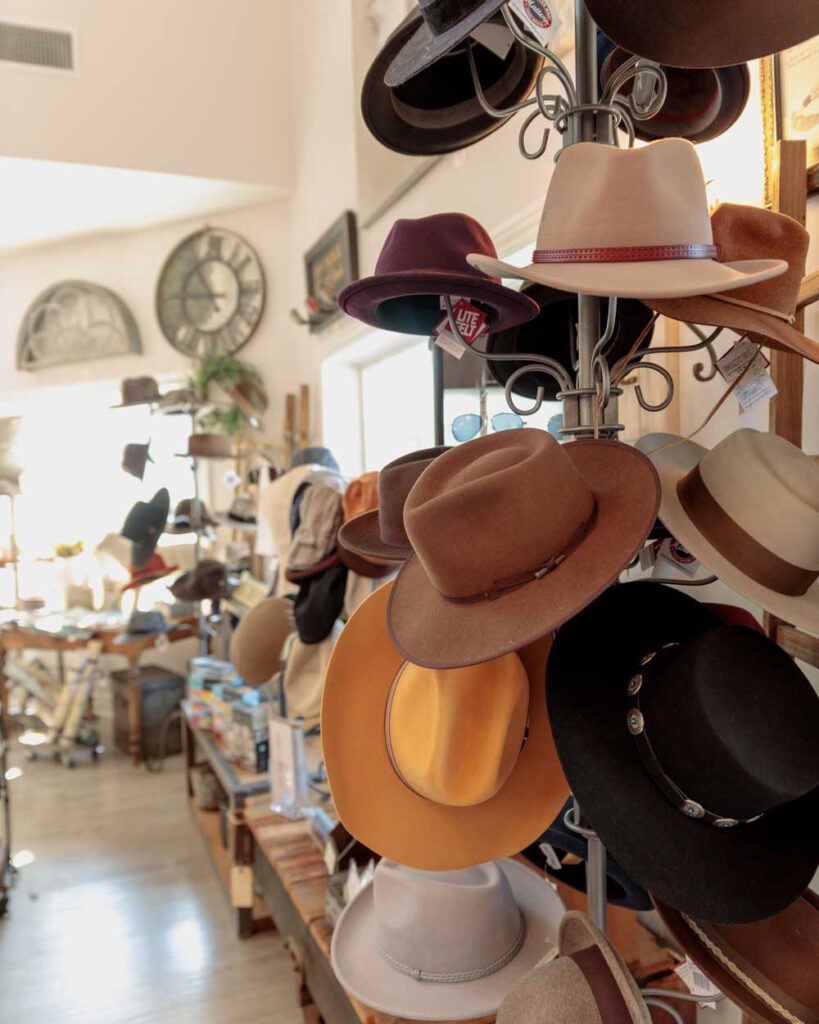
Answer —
771 490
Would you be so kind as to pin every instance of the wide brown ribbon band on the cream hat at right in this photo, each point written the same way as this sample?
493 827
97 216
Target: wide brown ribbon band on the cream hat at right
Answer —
737 545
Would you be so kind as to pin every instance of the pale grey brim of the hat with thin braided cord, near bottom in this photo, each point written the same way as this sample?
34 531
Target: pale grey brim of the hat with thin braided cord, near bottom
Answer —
371 980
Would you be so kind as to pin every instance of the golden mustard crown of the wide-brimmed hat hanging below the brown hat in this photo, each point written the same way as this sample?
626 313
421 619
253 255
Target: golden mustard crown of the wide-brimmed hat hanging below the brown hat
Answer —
455 736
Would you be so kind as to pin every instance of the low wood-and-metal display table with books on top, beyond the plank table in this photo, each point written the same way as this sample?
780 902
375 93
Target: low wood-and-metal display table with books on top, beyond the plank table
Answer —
234 862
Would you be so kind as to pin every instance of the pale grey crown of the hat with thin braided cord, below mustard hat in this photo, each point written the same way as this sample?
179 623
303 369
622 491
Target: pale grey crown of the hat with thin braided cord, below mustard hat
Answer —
445 922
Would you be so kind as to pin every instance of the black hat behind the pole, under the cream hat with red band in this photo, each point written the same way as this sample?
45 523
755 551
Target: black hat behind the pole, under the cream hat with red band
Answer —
553 333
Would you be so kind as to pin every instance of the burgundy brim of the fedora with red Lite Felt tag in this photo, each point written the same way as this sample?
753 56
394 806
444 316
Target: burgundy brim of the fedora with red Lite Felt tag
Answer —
364 298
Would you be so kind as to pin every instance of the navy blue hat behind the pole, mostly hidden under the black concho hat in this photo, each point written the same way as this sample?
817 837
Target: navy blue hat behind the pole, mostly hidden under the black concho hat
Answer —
555 852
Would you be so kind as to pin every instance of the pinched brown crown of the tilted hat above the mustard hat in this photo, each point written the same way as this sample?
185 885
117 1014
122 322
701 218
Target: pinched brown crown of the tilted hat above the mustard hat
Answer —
478 517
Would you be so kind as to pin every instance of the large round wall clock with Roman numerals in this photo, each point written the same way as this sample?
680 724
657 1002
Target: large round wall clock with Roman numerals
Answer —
210 294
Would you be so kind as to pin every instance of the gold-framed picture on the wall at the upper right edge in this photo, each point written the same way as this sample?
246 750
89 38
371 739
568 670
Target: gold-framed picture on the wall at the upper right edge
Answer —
791 107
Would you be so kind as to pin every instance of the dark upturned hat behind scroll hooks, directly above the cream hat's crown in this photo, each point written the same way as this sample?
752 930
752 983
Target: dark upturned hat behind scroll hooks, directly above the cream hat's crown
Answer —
701 105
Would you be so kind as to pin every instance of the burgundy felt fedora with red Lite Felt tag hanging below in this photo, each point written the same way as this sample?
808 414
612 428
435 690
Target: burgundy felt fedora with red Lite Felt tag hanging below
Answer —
422 261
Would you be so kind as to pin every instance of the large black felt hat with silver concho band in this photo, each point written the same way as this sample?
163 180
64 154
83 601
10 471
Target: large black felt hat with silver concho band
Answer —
692 748
